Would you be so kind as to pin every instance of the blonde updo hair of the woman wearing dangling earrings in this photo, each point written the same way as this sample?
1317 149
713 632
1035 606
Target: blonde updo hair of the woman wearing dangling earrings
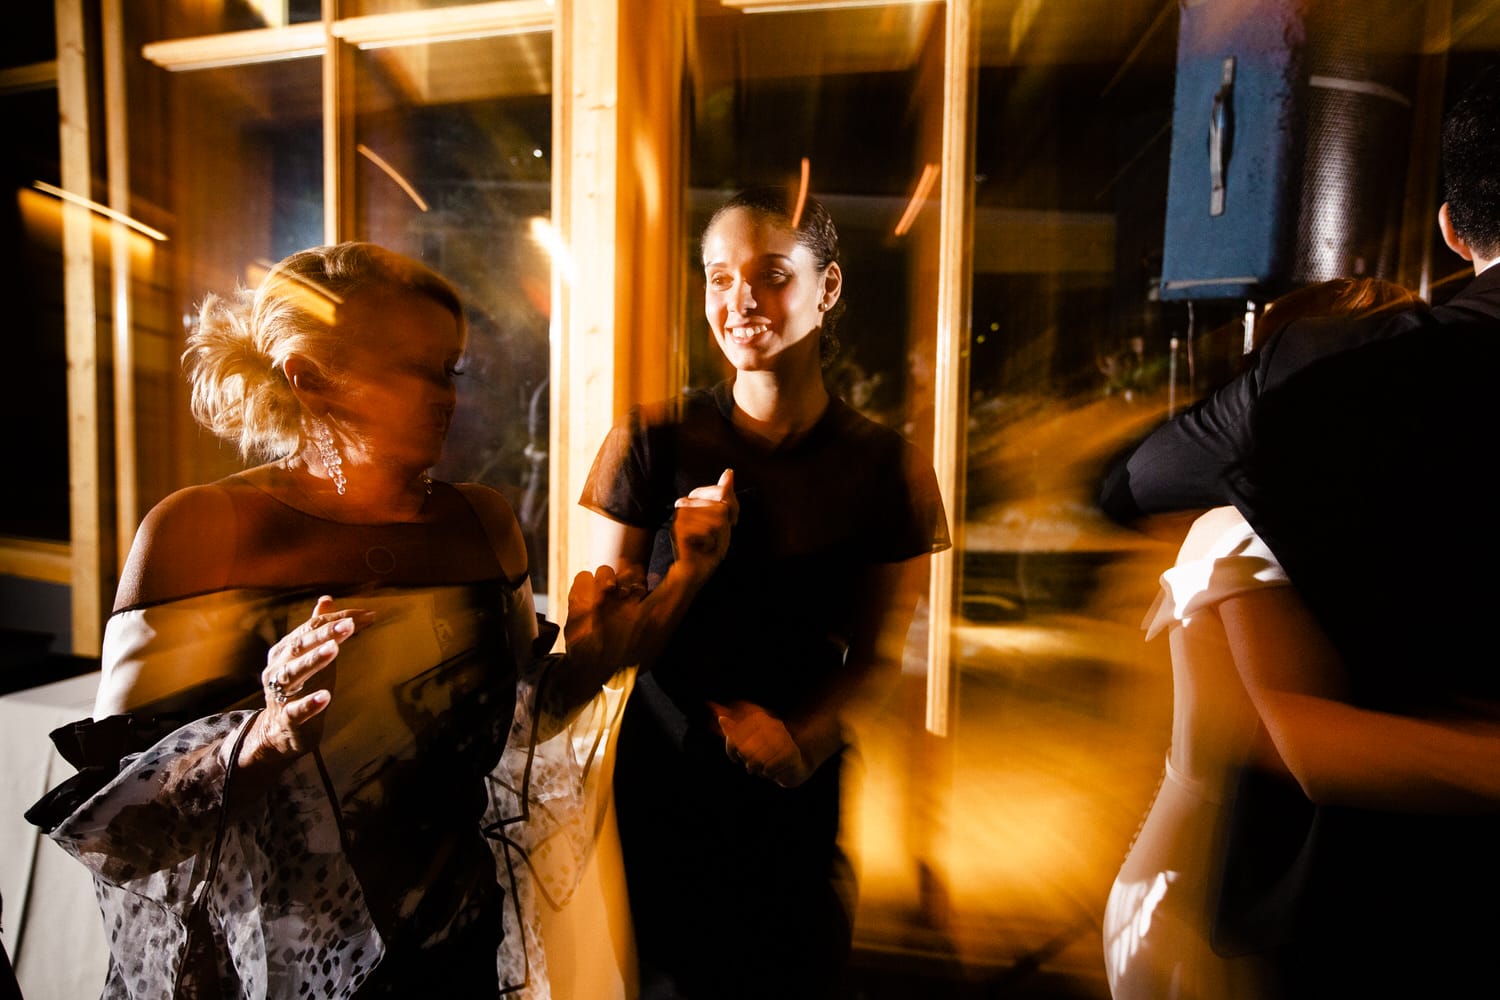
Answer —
236 356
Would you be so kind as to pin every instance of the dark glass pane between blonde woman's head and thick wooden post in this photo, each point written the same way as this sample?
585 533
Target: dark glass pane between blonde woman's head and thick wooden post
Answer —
454 166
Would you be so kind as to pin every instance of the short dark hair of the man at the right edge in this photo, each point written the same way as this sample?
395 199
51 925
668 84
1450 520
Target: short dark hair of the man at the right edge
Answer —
1472 164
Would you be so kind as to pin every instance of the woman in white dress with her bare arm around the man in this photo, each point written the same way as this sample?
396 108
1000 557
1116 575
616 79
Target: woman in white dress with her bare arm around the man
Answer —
1258 689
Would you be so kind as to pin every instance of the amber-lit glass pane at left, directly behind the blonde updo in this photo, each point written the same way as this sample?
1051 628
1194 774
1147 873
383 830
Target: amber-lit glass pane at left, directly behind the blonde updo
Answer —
229 164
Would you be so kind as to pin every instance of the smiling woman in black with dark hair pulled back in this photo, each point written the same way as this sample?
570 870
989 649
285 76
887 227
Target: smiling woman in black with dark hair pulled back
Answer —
733 746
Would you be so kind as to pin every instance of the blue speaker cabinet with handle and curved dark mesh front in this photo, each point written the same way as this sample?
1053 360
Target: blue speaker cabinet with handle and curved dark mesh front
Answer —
1289 145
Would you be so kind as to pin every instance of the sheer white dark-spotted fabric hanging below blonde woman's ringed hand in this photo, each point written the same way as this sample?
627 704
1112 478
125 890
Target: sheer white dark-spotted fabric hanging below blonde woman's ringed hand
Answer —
148 837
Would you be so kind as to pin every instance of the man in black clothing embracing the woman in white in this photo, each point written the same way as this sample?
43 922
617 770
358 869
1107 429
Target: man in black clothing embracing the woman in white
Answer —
1360 451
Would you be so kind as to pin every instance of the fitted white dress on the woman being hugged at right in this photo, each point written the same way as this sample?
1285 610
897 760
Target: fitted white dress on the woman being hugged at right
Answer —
1160 909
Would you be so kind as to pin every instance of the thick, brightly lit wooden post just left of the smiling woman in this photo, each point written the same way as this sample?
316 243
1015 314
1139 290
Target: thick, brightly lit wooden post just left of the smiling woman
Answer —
617 112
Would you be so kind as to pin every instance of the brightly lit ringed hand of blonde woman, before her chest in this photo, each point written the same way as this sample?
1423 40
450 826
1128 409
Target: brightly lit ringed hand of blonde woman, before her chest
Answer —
290 726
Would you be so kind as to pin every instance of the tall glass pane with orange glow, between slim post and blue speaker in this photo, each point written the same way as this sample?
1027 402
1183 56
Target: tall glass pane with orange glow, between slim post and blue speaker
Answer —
1073 121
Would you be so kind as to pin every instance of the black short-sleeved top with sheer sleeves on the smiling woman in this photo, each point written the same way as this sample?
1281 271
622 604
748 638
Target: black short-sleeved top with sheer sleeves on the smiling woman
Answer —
776 618
